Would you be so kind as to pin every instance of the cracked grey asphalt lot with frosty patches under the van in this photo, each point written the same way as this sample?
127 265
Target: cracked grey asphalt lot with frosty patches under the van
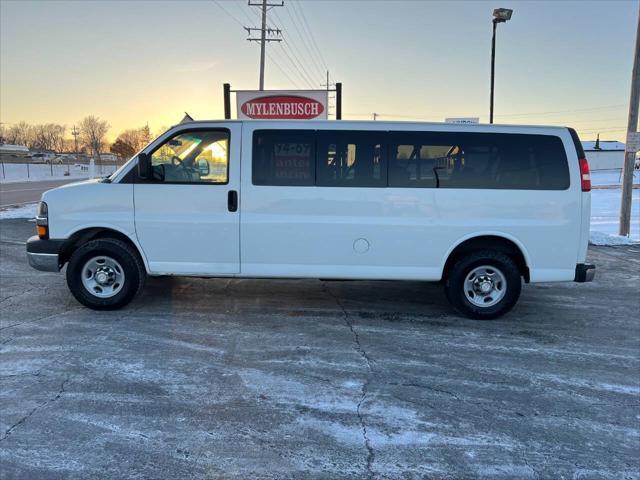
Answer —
243 379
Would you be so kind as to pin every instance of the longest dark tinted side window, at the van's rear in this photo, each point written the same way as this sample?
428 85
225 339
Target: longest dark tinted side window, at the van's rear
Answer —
478 161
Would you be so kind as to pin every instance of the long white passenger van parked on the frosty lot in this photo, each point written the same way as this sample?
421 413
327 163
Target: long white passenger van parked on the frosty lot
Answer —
480 208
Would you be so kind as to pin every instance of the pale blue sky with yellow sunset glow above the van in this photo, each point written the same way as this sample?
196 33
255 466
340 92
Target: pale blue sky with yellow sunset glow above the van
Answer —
139 62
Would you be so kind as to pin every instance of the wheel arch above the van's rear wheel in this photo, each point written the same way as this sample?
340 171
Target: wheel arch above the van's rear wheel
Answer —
492 241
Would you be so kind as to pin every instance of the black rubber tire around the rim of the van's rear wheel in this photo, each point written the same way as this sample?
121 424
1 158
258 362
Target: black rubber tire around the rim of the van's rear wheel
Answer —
455 284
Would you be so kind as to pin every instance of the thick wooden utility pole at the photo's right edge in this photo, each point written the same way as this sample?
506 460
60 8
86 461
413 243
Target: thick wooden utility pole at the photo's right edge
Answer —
631 144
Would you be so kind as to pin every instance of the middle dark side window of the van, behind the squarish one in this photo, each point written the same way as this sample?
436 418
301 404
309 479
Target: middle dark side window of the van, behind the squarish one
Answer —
351 159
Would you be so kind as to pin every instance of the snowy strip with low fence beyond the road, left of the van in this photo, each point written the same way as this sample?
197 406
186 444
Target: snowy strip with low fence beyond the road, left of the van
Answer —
24 172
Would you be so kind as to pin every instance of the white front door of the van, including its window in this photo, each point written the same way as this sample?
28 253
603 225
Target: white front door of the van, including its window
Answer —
187 215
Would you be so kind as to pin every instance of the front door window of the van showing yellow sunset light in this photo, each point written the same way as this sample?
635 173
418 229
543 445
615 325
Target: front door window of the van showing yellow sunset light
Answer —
199 156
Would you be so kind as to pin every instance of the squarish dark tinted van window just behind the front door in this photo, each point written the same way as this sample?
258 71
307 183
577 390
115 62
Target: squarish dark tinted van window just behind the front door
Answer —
283 157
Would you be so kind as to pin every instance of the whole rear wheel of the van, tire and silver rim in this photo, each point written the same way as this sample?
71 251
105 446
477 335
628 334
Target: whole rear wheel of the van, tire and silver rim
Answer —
484 284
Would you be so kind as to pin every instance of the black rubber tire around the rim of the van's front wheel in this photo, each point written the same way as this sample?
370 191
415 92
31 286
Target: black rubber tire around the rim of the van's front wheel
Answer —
125 255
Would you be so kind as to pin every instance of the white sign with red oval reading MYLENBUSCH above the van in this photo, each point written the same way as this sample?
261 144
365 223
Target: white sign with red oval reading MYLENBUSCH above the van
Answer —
282 105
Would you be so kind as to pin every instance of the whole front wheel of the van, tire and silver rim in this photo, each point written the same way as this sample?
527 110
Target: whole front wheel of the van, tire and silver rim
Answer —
105 274
